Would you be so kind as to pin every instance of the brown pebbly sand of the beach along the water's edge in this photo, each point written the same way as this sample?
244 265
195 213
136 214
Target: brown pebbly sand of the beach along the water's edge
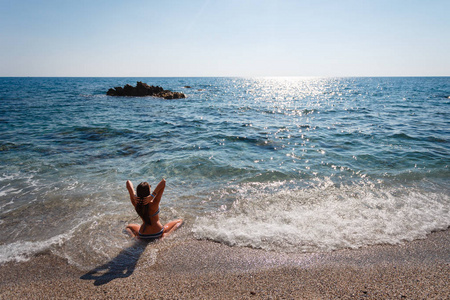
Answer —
184 268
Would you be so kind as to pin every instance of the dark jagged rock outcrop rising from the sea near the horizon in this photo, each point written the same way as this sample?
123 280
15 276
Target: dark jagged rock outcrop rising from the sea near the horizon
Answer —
142 89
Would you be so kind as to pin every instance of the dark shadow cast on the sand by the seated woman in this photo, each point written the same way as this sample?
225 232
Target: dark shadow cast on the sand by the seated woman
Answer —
121 266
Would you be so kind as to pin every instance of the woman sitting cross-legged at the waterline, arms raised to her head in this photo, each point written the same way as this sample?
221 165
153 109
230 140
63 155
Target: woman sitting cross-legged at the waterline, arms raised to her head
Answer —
147 207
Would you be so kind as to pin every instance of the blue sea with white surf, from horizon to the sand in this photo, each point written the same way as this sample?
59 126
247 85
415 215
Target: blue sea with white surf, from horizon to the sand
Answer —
281 164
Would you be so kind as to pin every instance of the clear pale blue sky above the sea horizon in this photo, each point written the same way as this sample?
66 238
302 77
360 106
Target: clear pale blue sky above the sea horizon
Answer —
138 38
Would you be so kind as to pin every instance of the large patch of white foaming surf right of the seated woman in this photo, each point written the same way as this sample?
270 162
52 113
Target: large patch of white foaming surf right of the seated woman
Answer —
324 218
